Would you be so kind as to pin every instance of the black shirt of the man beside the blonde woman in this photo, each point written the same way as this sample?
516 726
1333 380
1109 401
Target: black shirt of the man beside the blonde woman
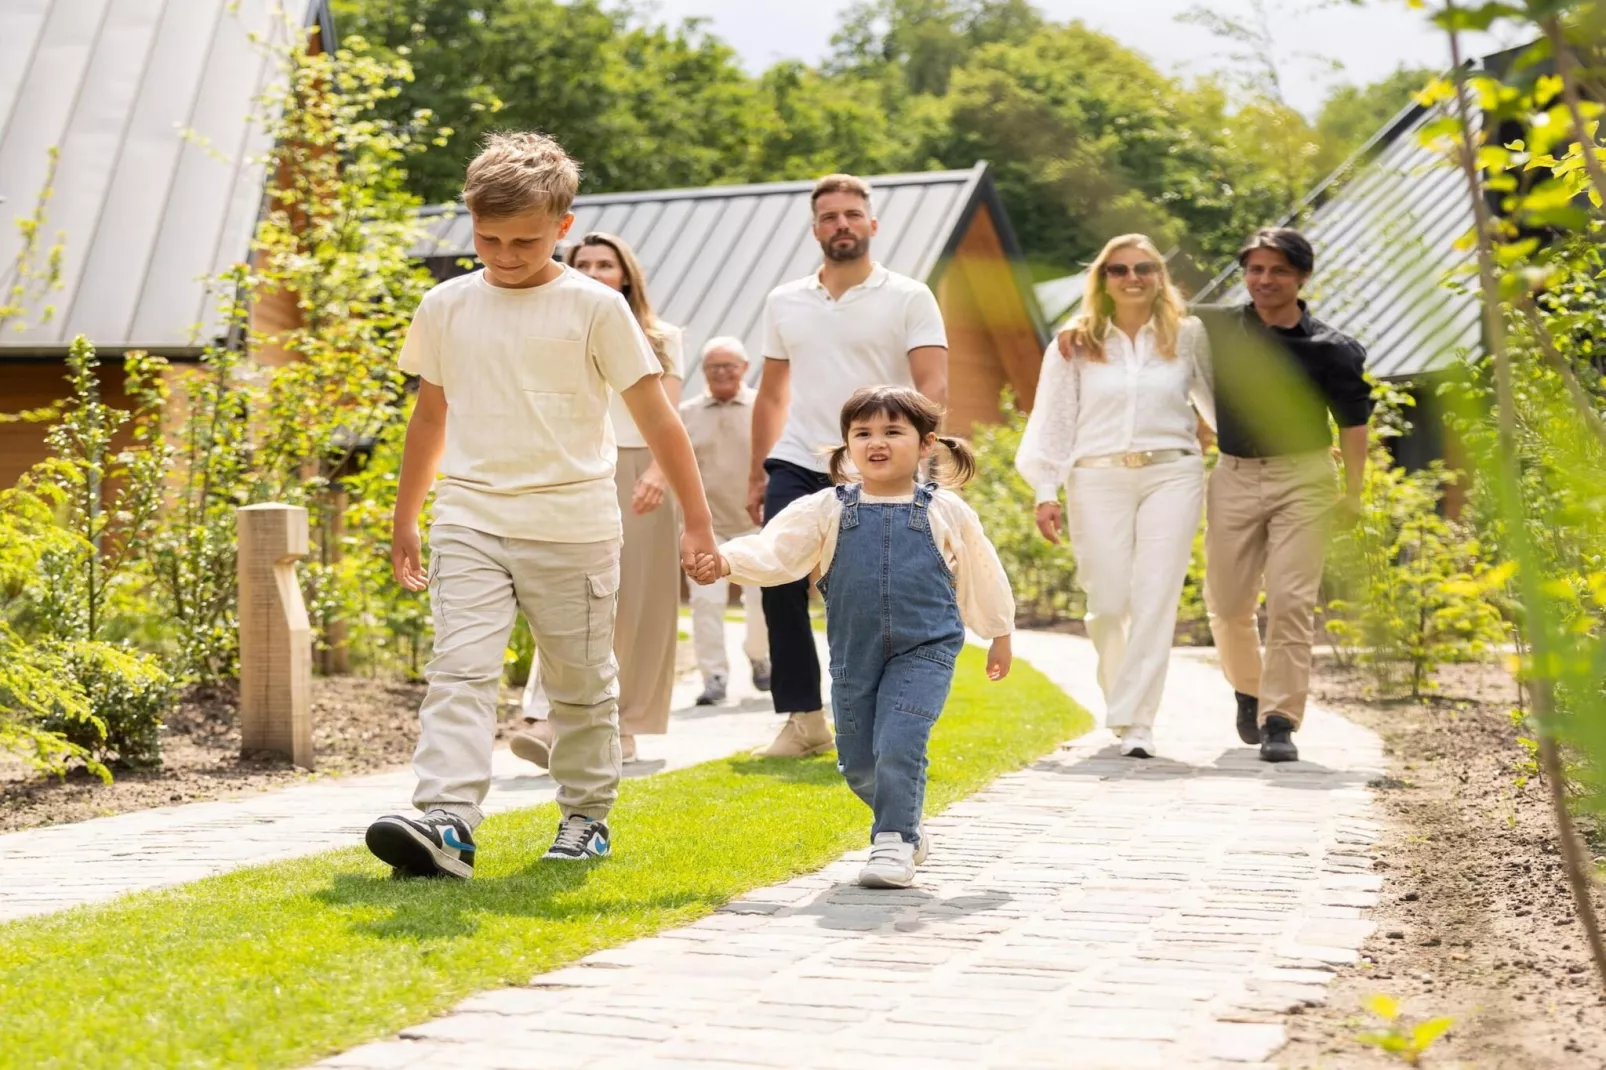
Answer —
1276 386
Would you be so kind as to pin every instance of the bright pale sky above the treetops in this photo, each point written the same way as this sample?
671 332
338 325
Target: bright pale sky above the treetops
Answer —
1371 43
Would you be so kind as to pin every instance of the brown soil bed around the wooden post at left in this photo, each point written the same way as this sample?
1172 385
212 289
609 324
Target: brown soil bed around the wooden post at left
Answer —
361 725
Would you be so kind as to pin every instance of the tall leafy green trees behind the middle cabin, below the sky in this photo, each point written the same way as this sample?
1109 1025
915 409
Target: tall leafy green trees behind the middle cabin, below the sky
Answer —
1088 137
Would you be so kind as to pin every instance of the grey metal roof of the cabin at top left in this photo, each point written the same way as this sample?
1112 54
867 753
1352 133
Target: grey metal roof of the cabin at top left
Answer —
147 214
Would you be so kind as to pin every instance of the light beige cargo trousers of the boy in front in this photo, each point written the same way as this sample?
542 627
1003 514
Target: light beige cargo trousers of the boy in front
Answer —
569 592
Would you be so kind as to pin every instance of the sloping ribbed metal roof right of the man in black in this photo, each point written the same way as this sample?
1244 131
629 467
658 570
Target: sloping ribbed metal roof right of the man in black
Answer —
1387 231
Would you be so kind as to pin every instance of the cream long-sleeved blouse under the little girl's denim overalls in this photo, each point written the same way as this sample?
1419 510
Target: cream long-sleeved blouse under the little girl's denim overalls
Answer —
805 536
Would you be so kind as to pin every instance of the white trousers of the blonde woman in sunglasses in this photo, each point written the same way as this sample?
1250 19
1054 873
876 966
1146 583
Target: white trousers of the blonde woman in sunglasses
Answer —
1133 533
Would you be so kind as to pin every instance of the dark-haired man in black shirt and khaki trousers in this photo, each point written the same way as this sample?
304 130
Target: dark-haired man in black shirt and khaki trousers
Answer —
1279 374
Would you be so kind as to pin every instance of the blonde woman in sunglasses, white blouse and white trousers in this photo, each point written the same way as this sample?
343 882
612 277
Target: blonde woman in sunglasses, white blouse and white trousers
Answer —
1117 423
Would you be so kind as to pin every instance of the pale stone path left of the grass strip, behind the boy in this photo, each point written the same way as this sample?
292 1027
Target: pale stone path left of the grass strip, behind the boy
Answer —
70 865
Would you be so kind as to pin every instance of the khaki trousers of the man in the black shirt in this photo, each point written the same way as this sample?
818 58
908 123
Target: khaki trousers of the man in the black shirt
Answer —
1268 521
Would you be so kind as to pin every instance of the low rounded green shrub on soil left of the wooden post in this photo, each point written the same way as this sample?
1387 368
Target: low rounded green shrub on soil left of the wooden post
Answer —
128 695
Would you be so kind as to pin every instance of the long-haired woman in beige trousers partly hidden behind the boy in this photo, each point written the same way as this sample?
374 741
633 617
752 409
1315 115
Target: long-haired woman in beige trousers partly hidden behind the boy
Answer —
650 589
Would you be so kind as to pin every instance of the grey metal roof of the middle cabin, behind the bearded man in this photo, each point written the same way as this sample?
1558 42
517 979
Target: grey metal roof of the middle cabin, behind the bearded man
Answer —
714 255
